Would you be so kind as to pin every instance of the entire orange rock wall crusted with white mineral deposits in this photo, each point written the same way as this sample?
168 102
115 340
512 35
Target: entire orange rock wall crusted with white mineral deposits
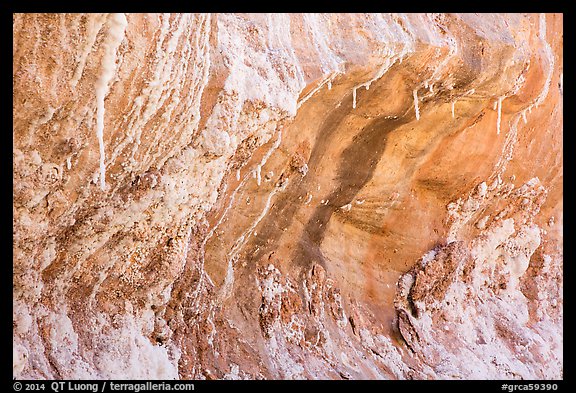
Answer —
287 196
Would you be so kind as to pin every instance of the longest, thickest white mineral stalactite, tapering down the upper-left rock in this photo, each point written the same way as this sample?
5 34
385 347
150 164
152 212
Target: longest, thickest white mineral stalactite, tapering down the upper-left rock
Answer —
116 26
